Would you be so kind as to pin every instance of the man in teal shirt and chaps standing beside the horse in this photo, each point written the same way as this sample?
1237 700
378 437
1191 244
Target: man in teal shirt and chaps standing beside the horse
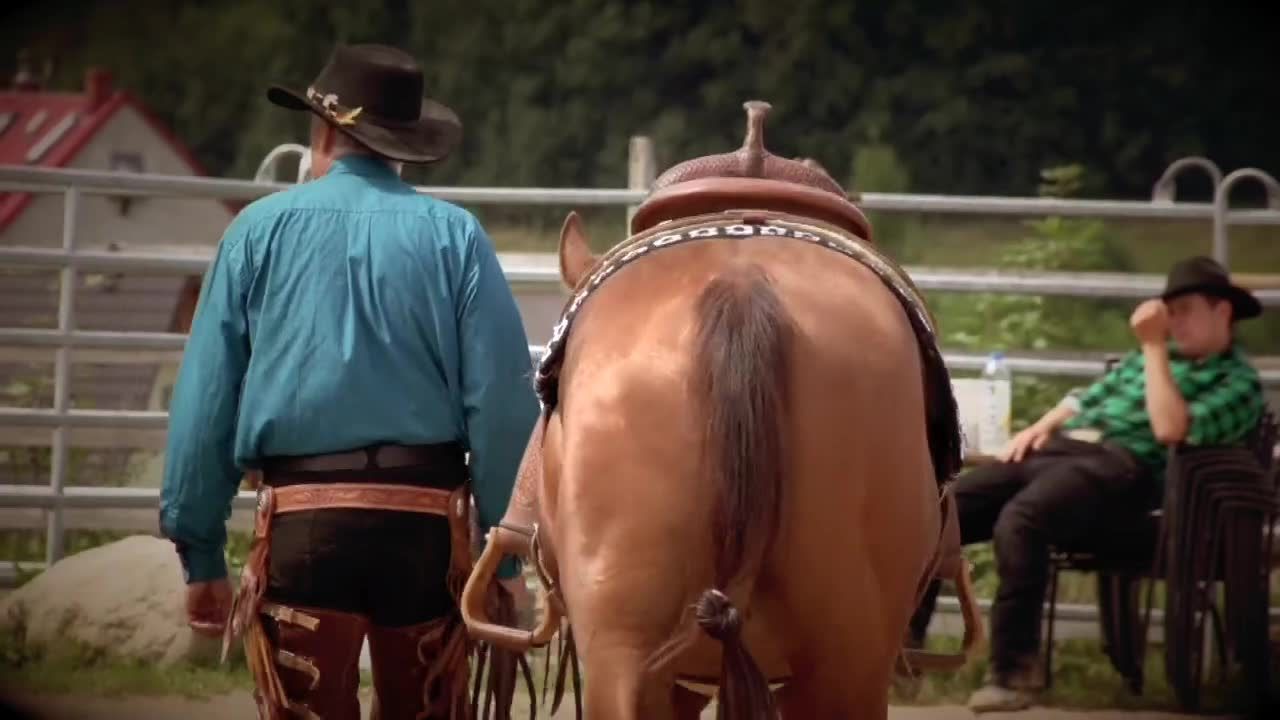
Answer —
350 331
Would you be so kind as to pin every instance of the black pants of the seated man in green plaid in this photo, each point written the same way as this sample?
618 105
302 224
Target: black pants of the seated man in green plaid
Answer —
1066 494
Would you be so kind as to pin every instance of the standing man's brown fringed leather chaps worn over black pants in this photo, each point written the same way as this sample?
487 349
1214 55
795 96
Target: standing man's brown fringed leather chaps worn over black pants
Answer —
365 563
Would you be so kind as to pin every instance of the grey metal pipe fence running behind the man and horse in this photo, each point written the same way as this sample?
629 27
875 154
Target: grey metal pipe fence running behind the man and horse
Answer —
70 261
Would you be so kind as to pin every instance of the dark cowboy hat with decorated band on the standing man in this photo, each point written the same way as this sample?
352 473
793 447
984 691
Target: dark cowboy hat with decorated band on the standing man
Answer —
374 95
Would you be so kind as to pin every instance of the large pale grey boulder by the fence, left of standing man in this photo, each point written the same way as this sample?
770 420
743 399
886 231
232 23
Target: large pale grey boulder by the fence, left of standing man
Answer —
126 599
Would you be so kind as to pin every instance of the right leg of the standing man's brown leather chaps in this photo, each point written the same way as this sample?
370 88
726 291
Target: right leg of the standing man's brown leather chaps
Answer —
420 671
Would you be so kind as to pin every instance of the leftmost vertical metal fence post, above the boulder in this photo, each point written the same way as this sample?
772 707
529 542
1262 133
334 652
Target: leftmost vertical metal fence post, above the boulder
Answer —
56 540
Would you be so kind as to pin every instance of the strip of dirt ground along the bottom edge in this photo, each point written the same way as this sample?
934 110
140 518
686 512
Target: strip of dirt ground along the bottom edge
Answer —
240 705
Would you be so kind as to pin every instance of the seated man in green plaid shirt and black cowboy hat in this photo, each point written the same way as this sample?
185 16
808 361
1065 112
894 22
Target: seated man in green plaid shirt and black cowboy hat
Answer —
1103 453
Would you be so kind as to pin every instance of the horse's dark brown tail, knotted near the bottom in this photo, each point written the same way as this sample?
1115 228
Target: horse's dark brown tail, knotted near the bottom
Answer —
743 377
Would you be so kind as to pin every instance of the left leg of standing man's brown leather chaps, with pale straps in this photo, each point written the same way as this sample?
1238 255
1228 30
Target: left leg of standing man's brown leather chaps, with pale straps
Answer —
317 658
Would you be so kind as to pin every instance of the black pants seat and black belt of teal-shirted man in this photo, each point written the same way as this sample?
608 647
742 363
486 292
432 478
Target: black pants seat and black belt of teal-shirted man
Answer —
387 566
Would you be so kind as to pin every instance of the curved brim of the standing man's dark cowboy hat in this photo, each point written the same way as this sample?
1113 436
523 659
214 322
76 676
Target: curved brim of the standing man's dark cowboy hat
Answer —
431 139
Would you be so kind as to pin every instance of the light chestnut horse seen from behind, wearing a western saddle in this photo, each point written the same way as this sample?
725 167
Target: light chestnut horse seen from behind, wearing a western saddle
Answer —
735 485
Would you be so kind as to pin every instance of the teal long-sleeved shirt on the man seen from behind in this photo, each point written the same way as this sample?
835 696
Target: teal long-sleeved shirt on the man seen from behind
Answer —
345 312
